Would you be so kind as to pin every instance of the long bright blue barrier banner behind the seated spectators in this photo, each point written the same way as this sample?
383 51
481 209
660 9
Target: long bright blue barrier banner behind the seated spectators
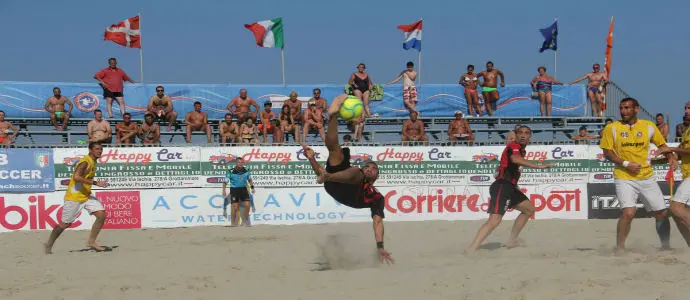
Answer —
27 99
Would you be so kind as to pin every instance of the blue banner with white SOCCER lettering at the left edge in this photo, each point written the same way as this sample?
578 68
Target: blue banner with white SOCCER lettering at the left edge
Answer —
26 170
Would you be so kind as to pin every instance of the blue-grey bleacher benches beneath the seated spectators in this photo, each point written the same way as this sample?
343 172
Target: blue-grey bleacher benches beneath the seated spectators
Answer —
487 130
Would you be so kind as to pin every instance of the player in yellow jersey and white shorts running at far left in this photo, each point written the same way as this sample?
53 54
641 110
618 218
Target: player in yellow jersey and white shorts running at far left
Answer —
78 196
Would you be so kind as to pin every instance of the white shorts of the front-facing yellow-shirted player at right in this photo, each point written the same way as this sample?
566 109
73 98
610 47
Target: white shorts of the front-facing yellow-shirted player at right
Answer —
628 191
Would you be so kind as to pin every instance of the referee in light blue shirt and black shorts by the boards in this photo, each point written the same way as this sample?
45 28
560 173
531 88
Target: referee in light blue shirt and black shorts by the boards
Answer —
238 178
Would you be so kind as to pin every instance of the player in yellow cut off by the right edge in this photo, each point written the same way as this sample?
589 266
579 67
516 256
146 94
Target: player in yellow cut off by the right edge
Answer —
681 200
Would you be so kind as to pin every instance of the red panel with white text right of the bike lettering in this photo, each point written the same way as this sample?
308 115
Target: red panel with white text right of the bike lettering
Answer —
122 208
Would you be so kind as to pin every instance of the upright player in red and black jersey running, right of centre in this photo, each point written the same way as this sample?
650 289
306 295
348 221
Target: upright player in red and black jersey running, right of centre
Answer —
505 193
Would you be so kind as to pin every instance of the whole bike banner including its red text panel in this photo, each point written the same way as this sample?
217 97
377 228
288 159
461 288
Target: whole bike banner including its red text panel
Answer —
43 211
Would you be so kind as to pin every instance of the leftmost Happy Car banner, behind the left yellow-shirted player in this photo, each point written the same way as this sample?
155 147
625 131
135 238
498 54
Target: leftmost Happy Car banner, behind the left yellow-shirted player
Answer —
135 168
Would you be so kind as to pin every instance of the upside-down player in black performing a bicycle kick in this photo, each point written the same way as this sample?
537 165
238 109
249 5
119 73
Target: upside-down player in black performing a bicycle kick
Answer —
351 186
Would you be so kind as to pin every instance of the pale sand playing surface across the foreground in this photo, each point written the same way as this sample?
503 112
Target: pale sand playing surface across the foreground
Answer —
560 260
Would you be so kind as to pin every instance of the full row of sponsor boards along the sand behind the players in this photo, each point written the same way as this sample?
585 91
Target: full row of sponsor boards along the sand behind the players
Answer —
167 187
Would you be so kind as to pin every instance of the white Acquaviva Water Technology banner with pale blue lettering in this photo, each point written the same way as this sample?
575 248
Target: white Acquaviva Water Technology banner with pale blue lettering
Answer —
273 206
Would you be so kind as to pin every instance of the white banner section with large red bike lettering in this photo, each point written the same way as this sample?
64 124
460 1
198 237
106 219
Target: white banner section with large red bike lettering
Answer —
35 212
